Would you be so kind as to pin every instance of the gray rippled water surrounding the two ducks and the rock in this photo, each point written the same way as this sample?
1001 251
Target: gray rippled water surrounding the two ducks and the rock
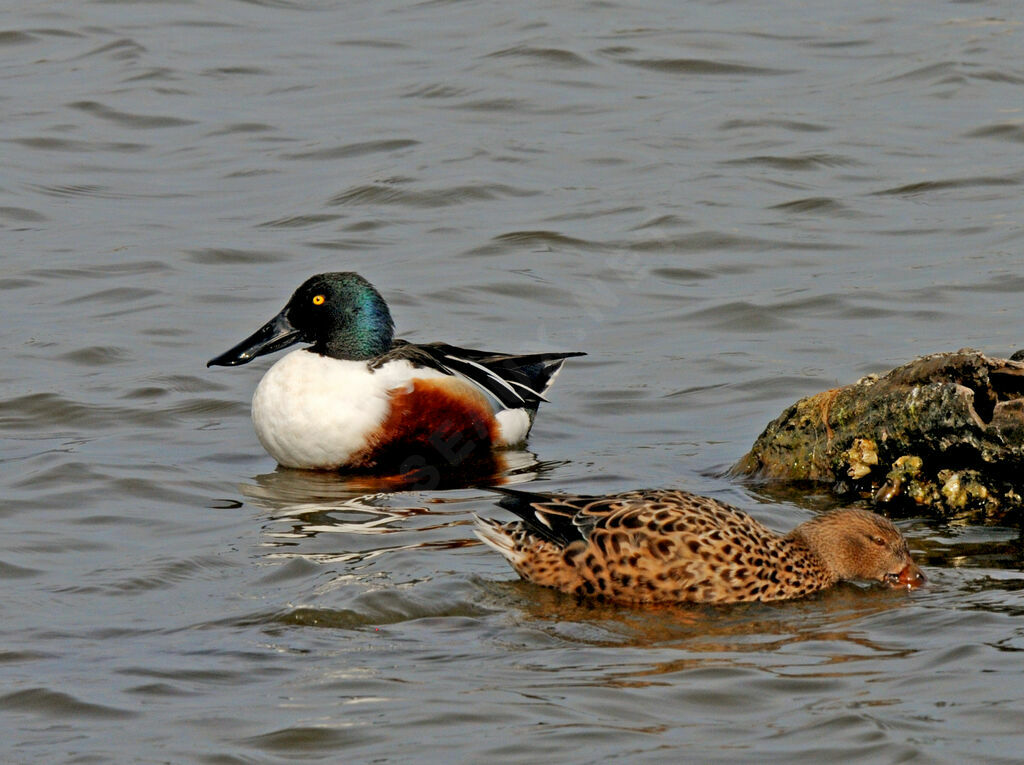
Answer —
728 205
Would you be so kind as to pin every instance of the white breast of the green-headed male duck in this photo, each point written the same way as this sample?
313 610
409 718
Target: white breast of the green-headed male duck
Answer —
317 413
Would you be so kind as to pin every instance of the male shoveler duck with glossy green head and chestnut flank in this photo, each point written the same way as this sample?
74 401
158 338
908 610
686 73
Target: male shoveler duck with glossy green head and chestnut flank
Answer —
360 399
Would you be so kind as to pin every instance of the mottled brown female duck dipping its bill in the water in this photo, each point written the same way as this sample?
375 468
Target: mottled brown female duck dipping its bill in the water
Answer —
673 547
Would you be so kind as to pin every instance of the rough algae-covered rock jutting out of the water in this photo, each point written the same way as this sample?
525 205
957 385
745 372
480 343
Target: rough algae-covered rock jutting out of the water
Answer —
944 434
